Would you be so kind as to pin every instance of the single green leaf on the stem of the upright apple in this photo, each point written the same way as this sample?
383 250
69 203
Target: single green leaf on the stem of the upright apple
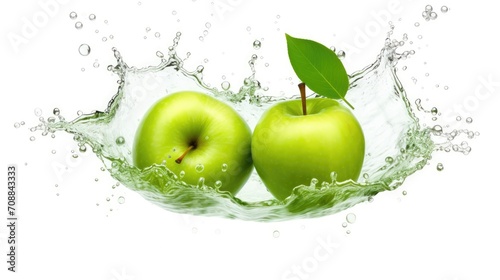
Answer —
318 67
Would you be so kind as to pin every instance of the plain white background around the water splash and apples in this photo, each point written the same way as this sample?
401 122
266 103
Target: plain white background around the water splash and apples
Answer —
445 228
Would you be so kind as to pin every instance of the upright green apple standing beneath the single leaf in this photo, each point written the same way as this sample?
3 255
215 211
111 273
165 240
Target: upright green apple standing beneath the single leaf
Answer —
290 149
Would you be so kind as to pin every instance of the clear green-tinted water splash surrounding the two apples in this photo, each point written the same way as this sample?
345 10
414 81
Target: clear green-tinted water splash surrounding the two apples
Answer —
397 145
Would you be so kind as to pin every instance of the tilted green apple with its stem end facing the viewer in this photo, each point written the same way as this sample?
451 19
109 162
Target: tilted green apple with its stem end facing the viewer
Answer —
219 134
